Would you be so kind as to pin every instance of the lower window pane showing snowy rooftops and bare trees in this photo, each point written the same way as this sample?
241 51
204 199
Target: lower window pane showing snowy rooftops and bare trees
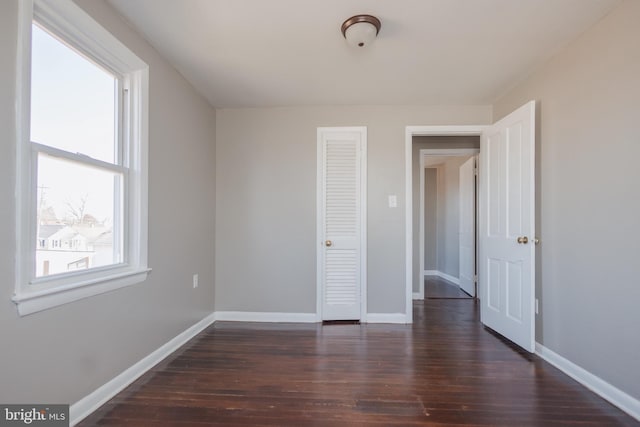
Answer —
79 216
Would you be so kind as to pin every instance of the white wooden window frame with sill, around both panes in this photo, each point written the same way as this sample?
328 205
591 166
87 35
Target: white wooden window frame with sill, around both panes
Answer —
76 27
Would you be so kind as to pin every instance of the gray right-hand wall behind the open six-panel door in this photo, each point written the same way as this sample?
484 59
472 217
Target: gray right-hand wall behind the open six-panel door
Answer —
589 198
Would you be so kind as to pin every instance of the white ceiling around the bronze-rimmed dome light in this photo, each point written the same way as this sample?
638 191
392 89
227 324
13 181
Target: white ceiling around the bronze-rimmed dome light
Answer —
256 53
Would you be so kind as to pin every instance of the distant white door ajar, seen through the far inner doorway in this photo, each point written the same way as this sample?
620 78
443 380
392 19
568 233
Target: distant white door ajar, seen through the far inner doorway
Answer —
467 231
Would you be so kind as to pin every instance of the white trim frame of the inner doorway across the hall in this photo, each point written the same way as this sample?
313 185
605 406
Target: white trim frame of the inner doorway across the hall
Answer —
432 152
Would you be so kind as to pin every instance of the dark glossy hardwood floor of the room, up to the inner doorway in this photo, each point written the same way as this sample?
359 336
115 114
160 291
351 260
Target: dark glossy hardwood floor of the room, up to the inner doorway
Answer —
445 369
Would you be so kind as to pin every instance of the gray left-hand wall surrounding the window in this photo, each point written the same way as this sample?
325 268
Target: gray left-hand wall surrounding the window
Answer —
65 353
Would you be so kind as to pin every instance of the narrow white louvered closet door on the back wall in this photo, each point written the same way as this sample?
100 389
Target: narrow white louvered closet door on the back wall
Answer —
341 222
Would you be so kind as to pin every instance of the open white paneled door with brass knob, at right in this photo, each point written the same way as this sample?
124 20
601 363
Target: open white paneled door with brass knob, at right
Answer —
507 229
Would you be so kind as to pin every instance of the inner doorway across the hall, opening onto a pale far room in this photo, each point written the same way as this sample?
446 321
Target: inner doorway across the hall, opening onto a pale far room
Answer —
447 243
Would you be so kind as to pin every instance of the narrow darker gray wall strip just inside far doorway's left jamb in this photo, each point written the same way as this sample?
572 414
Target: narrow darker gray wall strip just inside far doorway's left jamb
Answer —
431 219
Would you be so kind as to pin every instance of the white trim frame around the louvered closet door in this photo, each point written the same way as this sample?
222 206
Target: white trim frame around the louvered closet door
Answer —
320 217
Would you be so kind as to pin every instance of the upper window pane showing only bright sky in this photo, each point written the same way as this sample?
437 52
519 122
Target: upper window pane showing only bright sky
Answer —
73 101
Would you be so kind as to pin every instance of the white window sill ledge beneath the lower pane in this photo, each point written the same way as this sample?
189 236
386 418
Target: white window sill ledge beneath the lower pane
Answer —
33 302
